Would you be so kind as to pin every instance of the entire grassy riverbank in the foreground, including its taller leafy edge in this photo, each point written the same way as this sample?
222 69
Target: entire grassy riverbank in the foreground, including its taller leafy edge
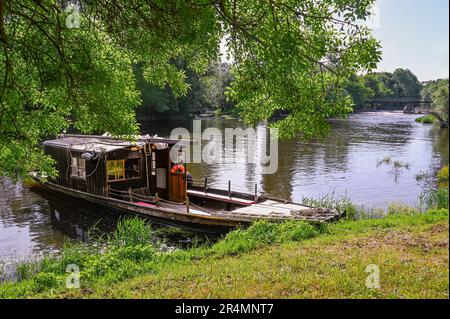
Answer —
293 259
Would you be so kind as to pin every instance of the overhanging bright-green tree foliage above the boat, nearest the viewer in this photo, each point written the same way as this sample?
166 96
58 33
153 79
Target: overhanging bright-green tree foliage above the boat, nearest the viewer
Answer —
288 55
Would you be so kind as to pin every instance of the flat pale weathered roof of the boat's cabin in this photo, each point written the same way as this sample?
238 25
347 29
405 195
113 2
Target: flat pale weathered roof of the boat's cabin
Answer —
106 143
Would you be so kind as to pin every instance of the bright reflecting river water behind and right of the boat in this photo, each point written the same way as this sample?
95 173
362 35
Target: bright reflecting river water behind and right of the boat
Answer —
345 162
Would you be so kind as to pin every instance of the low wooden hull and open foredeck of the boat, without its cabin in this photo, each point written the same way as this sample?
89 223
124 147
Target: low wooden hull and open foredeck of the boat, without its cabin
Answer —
206 220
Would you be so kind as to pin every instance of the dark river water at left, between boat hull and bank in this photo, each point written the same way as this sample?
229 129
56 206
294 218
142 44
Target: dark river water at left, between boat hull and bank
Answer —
29 222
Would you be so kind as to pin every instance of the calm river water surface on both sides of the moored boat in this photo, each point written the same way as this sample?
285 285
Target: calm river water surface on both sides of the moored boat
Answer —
344 163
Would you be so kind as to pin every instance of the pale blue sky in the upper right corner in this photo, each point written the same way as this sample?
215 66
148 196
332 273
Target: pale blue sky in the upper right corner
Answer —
414 35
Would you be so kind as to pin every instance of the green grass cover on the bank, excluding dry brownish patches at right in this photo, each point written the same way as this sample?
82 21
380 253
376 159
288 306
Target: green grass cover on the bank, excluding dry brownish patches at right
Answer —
126 260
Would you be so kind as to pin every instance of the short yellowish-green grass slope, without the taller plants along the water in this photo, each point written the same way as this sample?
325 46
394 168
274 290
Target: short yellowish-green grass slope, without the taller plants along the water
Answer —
412 256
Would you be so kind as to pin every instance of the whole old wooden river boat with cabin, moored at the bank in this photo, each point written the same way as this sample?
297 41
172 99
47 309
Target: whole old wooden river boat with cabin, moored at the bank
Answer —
139 177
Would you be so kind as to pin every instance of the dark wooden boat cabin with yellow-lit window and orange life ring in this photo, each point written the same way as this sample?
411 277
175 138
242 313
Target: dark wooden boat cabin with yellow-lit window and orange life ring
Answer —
106 166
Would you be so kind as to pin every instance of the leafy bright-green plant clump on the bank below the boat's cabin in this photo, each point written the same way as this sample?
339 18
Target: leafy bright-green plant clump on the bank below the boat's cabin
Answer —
113 257
